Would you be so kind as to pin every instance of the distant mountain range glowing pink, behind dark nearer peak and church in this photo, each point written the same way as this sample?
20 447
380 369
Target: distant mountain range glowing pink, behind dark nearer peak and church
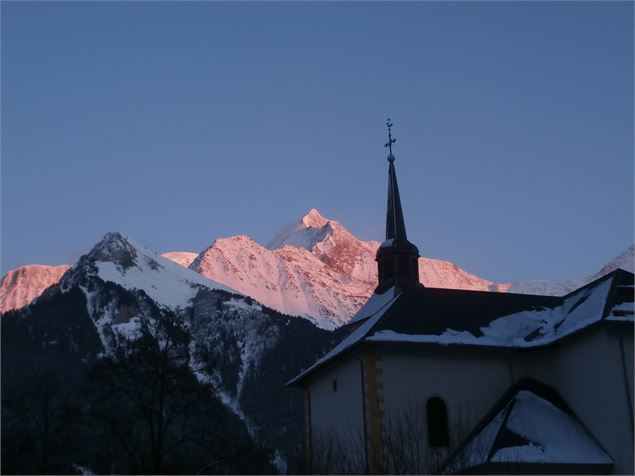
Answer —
312 267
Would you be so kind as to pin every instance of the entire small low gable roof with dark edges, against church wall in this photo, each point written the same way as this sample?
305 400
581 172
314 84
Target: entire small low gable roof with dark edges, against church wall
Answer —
530 425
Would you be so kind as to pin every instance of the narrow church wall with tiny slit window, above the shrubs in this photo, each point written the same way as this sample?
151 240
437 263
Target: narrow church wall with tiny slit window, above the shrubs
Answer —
337 414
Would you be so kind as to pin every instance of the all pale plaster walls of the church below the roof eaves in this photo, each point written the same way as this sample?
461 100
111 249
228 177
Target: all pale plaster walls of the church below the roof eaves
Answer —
587 370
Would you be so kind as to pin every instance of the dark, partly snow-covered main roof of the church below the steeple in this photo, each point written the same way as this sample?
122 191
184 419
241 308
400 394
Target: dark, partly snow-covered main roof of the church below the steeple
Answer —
432 316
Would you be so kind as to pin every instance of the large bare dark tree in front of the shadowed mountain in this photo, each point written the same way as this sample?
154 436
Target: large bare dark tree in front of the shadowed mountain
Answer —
154 416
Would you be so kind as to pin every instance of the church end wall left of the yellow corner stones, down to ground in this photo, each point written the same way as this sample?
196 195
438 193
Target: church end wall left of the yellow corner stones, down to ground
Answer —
336 411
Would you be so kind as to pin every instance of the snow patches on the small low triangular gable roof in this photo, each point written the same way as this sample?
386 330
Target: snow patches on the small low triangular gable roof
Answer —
535 431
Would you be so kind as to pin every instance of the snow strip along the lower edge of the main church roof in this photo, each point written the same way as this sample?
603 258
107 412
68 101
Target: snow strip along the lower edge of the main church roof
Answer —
522 329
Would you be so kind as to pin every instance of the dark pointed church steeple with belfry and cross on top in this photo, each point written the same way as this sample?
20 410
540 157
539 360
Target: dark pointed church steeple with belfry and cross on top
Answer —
397 258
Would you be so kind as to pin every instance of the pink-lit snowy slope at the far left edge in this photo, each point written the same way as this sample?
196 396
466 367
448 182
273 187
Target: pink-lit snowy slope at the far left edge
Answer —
20 286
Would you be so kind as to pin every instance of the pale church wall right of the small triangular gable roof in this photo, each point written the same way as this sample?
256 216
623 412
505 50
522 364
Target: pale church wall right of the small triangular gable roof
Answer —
588 371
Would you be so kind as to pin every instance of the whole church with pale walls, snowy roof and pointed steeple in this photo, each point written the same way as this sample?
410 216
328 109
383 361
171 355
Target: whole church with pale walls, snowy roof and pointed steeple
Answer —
450 381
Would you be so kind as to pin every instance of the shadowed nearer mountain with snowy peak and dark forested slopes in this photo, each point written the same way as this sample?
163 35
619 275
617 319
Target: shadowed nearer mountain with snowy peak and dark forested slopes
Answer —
245 351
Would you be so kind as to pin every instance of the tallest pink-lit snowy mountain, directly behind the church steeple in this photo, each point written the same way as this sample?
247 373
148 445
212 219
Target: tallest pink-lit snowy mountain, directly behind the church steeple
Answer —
314 268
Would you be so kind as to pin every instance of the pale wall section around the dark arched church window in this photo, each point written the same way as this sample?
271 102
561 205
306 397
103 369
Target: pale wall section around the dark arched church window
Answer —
469 382
